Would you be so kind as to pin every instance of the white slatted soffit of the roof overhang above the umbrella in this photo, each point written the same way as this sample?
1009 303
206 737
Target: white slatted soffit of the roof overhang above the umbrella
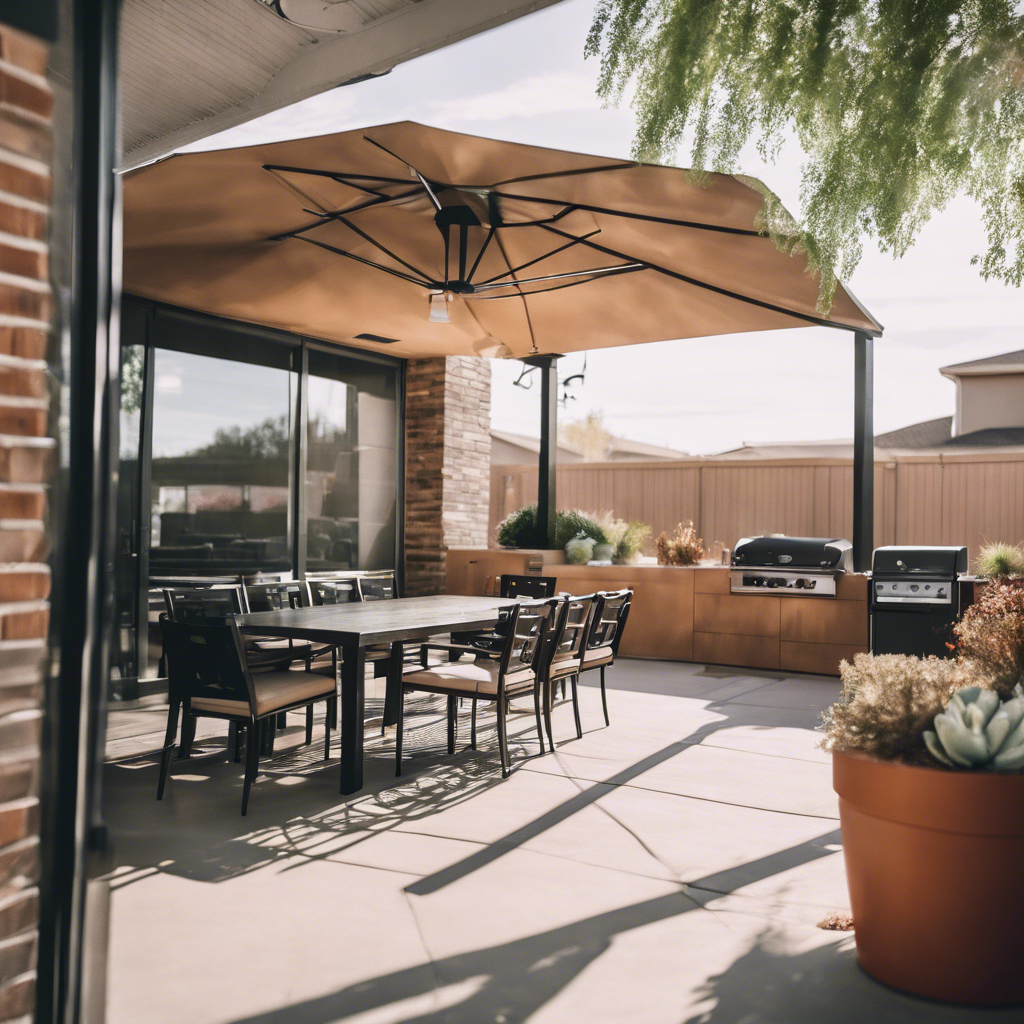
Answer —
193 68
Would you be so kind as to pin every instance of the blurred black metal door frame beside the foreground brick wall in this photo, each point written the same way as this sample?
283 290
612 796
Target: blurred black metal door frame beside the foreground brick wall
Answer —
72 957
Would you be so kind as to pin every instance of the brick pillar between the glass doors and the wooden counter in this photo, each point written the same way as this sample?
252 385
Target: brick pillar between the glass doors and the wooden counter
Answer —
448 465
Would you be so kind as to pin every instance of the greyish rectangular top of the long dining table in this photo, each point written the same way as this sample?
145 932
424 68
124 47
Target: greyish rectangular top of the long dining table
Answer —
377 622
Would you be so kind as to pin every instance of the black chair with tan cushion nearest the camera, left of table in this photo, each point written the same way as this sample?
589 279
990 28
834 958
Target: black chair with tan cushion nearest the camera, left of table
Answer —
209 677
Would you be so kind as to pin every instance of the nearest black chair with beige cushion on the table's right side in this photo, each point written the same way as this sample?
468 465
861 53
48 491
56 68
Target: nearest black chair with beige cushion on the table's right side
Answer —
536 630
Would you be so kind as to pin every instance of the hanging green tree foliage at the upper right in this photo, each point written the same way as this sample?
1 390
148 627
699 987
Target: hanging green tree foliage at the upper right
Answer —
900 107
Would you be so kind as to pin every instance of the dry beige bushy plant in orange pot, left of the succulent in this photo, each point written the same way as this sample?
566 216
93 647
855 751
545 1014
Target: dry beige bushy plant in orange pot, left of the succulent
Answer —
887 704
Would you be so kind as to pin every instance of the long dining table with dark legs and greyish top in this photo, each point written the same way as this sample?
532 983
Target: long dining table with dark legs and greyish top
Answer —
355 627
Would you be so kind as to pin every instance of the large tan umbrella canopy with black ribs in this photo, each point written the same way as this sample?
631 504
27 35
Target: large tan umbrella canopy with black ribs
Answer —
423 242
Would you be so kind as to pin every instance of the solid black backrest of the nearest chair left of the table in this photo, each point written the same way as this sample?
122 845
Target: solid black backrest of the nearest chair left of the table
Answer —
205 659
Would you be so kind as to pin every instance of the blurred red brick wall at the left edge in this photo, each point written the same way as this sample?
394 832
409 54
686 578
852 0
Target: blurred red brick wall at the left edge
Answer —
26 451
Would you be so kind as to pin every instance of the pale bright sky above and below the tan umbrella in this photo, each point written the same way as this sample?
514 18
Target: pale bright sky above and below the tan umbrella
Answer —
529 82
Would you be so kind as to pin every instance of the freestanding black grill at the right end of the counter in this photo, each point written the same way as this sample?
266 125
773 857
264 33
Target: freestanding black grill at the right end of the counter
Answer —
918 595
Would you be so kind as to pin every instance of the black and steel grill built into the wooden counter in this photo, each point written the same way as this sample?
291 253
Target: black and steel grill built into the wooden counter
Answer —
790 567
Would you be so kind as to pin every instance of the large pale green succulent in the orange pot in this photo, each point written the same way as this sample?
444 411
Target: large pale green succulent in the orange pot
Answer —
977 731
